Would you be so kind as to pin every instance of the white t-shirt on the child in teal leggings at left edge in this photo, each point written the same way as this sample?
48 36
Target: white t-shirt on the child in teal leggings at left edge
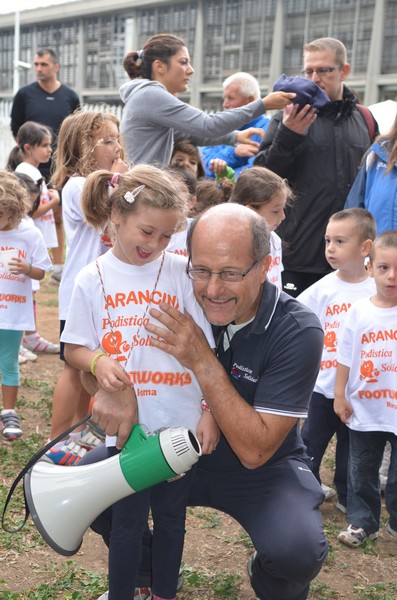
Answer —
16 300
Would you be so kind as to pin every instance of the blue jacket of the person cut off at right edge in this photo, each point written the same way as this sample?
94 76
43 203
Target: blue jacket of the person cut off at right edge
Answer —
375 190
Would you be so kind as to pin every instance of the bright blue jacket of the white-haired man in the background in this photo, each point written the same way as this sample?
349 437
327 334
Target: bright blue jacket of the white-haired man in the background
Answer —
228 154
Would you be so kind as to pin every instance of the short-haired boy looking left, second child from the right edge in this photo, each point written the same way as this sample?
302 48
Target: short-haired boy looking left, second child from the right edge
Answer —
348 241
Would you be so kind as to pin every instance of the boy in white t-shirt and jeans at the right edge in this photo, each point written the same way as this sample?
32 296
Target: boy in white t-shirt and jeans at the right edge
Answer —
366 396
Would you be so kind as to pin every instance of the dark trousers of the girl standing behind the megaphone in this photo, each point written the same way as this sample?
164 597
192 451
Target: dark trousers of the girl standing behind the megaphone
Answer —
122 526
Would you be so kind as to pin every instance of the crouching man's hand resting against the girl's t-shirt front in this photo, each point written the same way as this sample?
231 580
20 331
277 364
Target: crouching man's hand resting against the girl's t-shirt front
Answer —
182 337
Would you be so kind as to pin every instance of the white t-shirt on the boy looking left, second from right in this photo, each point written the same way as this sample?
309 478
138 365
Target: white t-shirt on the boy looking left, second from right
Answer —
330 298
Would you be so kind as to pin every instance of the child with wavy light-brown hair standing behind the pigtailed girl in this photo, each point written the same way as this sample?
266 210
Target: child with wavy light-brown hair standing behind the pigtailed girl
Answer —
87 141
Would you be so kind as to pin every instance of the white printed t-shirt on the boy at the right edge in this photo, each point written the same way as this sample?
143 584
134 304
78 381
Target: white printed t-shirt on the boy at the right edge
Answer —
368 346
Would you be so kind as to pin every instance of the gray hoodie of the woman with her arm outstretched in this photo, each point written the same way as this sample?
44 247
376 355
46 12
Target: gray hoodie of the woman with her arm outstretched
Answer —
153 119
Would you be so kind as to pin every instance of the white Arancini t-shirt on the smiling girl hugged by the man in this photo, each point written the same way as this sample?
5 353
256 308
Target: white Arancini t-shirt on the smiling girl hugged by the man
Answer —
167 393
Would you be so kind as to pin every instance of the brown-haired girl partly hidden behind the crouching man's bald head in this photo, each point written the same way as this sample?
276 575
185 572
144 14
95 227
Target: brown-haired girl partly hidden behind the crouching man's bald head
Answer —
267 194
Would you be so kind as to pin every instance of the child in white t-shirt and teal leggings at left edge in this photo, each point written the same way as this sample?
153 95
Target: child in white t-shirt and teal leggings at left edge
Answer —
30 261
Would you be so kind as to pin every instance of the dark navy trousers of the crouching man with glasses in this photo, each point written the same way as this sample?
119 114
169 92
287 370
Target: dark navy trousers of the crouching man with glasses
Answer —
279 509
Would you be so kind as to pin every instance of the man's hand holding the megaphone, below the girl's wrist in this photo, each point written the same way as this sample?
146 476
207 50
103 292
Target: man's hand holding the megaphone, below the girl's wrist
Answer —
116 413
